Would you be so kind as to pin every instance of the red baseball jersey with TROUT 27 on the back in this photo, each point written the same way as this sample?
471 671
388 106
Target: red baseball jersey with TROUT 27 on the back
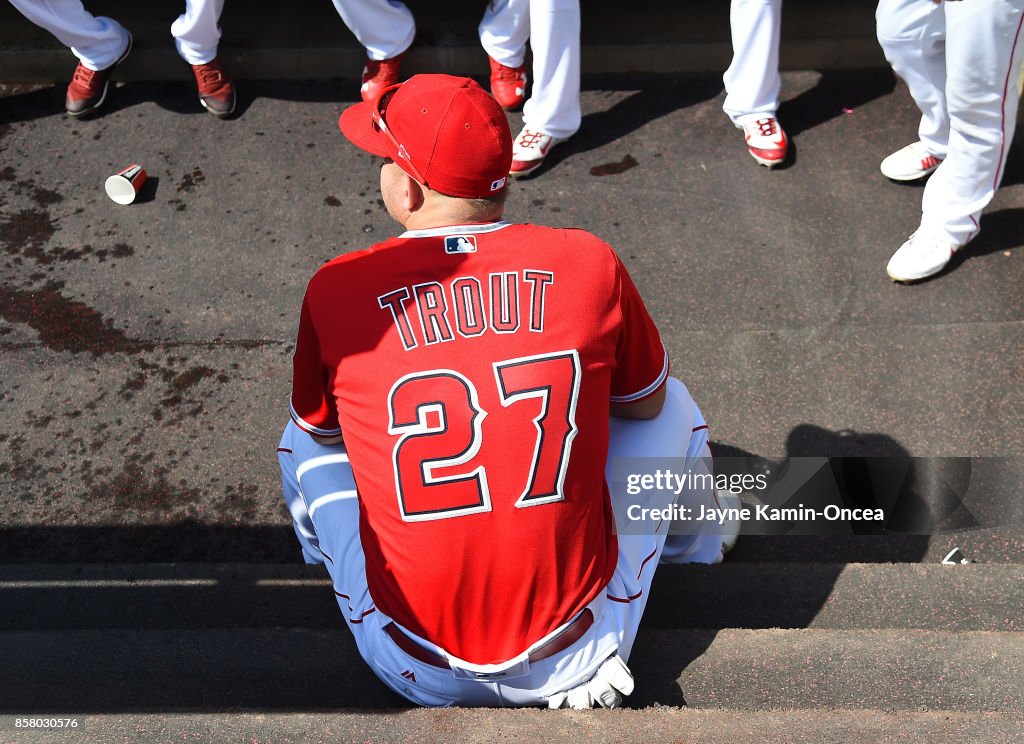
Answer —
472 370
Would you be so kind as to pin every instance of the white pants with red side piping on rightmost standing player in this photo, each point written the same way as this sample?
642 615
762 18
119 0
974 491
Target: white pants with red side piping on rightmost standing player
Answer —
963 65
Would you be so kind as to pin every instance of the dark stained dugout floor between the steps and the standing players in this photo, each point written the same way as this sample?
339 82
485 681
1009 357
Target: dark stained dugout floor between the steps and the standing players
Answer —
147 348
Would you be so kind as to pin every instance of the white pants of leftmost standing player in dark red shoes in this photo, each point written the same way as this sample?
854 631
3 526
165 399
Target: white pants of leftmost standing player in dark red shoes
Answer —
99 42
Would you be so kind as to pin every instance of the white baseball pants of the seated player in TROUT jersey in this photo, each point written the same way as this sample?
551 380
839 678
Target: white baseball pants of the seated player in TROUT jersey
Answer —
320 492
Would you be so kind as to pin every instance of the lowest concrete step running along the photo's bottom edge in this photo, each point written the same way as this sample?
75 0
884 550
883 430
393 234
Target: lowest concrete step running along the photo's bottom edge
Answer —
511 727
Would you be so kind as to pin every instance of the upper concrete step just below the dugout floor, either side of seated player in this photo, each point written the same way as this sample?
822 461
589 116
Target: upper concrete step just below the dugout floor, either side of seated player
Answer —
730 596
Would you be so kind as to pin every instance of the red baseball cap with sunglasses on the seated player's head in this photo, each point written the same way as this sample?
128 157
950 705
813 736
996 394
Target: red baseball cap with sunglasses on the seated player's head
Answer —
447 133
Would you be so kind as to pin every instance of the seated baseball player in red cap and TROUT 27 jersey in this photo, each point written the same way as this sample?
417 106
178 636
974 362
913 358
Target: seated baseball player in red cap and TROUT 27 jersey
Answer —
472 366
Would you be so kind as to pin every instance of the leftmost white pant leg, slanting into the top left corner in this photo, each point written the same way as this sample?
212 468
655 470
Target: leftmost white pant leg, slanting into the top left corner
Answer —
97 41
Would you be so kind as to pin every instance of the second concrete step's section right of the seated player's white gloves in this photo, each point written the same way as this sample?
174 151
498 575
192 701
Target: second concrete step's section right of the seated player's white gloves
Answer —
828 670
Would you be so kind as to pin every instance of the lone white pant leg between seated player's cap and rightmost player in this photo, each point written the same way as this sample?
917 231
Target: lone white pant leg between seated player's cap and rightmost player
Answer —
753 82
